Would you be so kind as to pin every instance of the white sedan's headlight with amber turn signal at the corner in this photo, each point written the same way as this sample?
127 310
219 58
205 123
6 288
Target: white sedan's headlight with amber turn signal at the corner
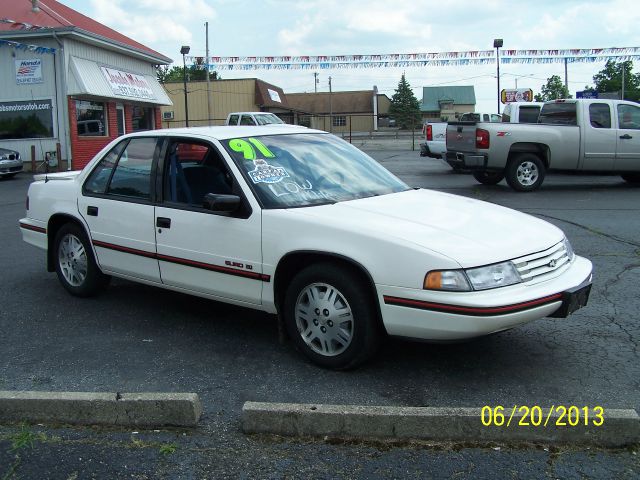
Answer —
480 278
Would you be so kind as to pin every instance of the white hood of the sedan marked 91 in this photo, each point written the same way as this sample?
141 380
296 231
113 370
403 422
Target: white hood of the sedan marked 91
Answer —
469 231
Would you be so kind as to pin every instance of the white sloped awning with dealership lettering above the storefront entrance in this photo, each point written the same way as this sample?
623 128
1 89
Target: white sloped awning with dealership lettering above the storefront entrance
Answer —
89 78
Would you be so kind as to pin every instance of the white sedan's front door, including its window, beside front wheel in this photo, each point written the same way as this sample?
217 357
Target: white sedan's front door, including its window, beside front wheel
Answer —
216 254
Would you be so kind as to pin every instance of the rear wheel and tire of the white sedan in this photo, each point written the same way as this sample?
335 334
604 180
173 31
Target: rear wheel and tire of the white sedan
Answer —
75 264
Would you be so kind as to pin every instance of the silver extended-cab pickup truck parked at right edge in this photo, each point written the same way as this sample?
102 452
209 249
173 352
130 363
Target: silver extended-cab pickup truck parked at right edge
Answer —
595 136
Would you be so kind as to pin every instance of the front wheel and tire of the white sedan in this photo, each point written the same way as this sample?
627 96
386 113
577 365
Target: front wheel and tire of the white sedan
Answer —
330 316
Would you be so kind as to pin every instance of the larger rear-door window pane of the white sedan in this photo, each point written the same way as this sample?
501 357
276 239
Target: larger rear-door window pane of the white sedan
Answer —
132 176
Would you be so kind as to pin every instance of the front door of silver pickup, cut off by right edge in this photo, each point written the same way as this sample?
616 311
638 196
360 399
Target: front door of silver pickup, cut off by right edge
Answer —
628 139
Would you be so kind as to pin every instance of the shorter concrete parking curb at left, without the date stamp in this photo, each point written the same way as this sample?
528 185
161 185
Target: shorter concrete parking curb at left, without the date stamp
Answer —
86 408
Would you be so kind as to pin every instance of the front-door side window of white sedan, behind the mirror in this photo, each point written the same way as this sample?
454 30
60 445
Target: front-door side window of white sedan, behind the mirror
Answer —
195 169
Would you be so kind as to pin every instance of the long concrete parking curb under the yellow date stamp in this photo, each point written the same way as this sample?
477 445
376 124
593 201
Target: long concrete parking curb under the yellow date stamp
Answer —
620 427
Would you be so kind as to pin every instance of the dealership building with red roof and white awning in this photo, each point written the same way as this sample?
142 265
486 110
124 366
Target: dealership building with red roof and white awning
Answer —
69 85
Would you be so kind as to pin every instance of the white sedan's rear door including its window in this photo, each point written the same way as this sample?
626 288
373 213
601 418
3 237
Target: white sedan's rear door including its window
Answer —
117 203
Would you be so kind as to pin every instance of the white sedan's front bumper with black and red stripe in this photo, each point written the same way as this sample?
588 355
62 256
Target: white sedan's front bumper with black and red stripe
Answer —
430 315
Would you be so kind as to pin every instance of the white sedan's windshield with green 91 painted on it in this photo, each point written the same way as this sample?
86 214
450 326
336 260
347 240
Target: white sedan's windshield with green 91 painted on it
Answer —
299 170
